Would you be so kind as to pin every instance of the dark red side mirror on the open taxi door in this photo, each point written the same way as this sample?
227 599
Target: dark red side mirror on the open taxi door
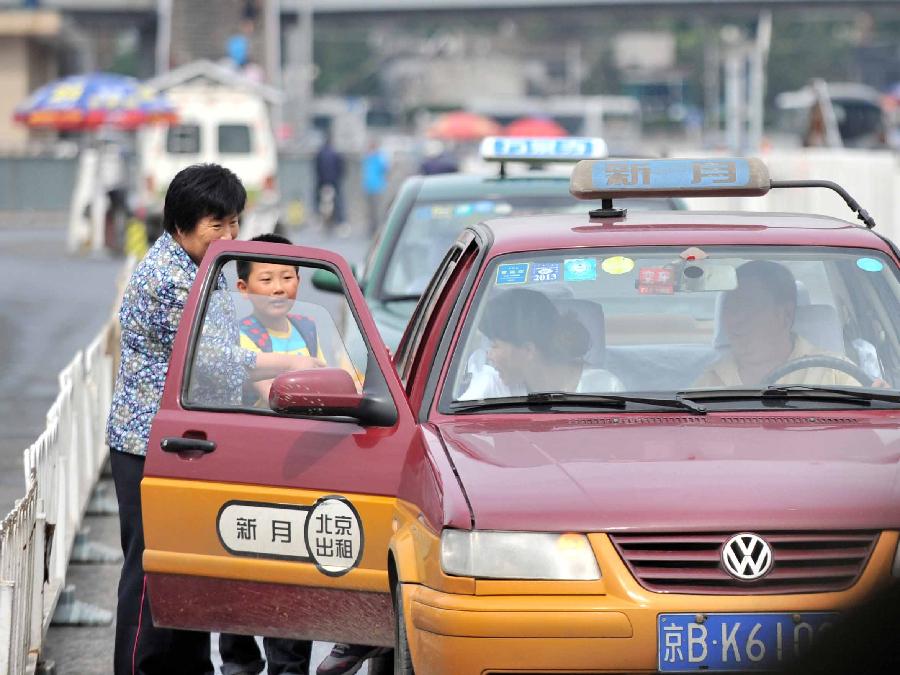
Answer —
326 392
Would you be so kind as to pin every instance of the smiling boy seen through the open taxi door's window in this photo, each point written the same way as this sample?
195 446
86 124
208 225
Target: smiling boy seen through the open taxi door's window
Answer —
272 290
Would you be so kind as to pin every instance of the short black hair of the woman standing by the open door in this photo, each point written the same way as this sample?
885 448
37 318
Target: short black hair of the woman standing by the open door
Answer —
199 191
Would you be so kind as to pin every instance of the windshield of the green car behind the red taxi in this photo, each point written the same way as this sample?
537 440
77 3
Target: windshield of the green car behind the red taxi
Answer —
432 227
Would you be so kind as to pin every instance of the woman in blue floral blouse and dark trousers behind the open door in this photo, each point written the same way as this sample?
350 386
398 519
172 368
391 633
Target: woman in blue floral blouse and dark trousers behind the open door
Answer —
202 204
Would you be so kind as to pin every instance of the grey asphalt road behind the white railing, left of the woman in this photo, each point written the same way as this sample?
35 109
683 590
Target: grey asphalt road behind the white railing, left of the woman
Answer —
51 305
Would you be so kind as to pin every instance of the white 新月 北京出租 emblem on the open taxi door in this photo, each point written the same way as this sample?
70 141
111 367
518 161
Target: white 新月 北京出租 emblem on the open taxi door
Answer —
328 534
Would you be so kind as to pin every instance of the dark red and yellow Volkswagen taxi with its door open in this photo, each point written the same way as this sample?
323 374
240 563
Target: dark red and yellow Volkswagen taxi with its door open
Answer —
618 441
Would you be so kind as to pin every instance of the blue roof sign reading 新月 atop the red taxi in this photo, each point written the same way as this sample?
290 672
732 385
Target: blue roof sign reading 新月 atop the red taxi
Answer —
705 177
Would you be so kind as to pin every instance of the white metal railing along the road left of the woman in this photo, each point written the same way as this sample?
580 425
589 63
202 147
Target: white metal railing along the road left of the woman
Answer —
62 468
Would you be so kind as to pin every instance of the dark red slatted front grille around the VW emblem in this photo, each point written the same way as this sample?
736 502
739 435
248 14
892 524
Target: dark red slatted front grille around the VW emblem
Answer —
803 562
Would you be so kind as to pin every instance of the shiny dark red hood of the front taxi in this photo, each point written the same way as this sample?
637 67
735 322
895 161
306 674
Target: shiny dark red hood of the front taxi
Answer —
658 473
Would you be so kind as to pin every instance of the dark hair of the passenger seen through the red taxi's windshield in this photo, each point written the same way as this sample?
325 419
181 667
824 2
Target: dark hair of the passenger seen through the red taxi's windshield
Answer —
520 316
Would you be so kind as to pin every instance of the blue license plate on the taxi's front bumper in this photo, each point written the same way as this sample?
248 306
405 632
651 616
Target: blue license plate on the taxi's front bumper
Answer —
710 642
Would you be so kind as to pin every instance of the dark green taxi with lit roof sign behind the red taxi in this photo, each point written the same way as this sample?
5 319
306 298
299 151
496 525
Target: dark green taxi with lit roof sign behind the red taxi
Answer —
429 212
